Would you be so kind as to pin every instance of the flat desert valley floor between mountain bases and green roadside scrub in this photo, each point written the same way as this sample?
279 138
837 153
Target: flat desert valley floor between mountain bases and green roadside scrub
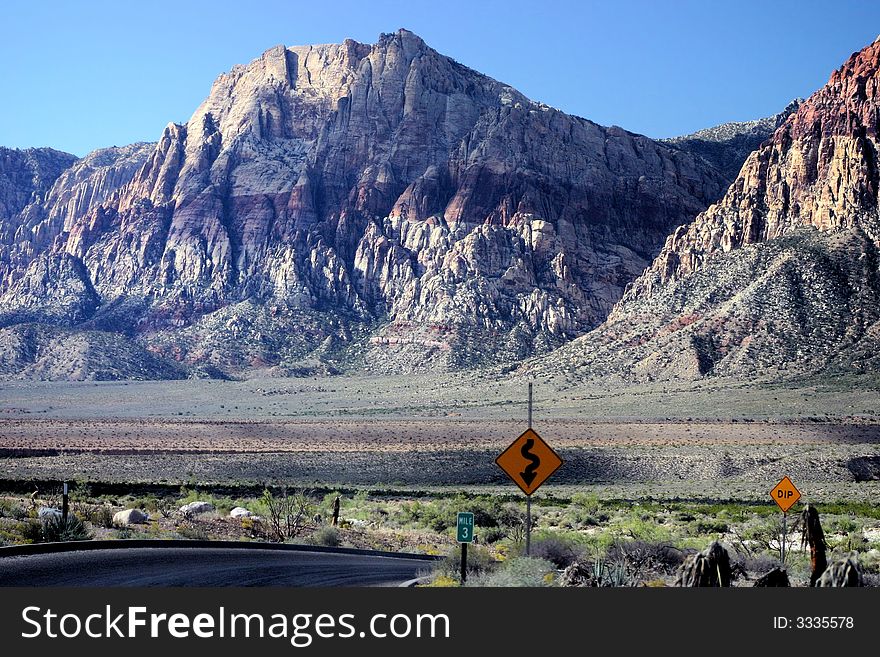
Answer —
713 440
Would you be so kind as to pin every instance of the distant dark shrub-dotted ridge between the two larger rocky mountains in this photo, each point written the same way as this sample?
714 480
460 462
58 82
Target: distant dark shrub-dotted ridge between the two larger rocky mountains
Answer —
727 146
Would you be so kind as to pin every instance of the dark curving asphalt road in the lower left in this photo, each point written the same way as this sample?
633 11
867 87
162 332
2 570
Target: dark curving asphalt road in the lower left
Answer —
206 567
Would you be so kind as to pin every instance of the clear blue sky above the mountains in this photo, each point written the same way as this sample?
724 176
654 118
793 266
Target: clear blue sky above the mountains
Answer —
81 75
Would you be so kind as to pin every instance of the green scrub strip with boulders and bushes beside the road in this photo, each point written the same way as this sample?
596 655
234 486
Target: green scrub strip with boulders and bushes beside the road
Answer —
623 543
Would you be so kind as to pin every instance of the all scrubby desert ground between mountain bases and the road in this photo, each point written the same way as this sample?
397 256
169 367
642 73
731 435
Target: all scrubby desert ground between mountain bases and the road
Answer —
634 499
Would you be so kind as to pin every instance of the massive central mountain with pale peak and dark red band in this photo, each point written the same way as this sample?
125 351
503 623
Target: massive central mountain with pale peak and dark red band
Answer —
329 205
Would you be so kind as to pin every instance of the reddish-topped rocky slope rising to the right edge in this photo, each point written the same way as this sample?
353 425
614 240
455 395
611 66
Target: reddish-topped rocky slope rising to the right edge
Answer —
781 275
